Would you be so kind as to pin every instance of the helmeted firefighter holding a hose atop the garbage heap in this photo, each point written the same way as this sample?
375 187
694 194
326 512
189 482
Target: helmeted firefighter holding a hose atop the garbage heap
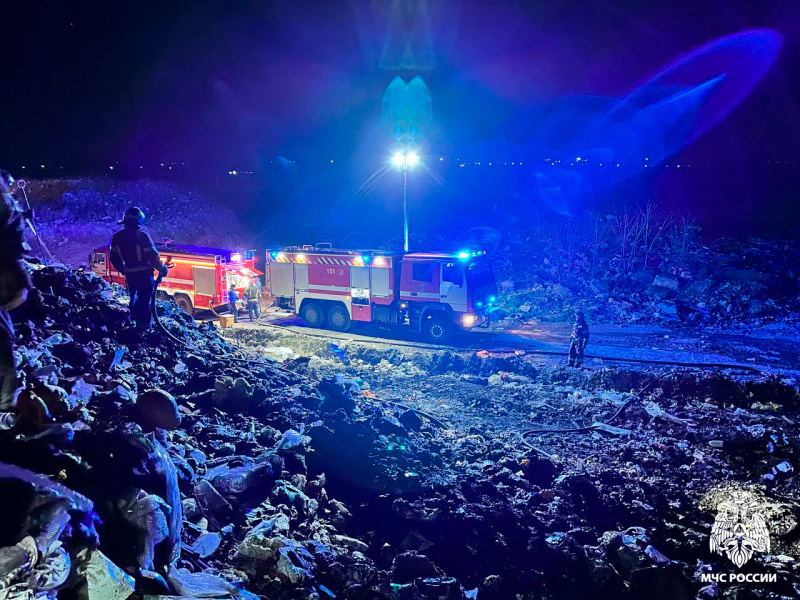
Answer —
133 254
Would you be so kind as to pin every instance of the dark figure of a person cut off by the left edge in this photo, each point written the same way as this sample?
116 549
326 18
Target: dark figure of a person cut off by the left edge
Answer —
14 286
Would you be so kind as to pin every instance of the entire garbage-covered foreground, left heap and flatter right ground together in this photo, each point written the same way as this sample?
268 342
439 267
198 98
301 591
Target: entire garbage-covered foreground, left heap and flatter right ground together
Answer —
147 468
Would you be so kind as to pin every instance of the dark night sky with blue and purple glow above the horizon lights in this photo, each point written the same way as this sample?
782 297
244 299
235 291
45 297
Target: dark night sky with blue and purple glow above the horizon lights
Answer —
225 85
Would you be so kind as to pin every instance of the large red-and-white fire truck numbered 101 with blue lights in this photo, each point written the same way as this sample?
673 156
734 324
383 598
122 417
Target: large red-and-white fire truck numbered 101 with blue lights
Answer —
437 293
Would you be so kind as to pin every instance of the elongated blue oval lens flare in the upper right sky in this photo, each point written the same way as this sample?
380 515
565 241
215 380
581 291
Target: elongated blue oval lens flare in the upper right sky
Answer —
665 114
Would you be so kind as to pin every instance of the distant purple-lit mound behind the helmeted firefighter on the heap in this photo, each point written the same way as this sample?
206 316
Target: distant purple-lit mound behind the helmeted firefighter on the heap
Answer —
76 216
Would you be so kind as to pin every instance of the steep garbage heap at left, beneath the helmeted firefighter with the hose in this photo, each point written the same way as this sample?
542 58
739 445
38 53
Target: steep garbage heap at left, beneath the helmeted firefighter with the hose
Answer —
169 470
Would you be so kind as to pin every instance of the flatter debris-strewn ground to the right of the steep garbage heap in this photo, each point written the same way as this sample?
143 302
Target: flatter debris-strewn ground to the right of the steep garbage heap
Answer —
617 509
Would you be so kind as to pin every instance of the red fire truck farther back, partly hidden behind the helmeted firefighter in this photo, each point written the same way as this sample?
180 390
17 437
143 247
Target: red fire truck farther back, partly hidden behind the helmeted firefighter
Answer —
198 277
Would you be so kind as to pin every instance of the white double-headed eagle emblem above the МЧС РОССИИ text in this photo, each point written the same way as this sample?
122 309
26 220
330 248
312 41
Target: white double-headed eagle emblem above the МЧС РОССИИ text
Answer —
739 530
